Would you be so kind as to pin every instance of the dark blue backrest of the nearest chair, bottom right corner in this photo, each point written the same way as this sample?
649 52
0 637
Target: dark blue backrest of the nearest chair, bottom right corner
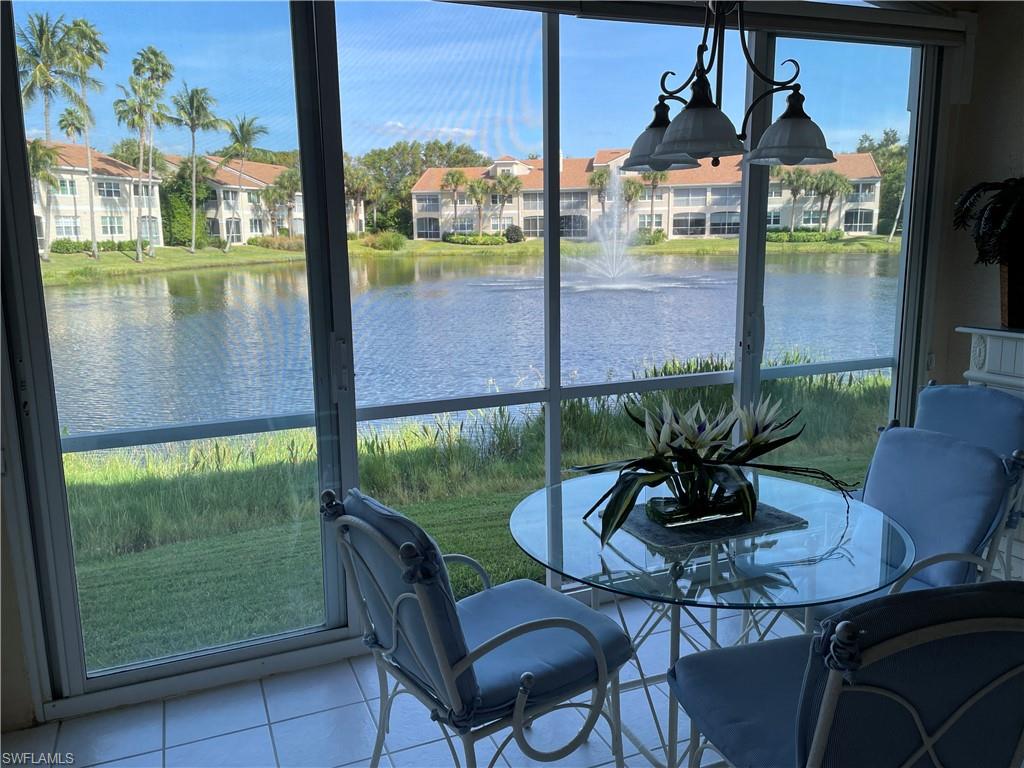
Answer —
926 678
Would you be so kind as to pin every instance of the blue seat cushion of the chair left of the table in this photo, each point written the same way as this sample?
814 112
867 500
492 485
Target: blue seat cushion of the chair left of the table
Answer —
561 660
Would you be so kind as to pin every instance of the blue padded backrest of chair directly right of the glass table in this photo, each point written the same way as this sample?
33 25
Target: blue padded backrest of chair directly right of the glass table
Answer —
951 496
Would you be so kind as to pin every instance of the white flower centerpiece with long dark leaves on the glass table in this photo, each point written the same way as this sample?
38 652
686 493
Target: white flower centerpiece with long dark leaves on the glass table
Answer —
694 456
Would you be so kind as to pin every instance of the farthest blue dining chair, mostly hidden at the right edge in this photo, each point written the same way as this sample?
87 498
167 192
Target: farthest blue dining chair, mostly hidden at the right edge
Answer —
986 417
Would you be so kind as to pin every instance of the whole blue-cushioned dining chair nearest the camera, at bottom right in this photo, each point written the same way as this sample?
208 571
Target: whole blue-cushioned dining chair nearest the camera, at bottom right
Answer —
931 678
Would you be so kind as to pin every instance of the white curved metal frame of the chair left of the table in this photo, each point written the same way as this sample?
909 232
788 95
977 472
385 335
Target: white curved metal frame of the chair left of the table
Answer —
606 690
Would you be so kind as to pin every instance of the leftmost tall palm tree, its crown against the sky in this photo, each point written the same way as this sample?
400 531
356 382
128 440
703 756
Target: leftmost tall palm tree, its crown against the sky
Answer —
45 64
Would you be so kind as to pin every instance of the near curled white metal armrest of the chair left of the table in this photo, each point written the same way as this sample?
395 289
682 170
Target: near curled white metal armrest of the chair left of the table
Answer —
520 717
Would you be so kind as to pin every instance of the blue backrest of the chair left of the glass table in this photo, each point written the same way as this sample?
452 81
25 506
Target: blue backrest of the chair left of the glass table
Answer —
409 608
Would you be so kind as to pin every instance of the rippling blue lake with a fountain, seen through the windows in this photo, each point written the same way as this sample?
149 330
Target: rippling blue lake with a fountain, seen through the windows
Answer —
181 348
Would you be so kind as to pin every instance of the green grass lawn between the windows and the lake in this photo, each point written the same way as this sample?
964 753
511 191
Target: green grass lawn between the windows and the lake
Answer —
189 546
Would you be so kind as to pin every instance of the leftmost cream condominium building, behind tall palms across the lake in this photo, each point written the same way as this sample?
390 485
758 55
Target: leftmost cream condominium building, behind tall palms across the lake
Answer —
121 205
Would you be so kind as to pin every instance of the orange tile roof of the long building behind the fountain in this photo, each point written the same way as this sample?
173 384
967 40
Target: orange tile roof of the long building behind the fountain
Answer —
577 170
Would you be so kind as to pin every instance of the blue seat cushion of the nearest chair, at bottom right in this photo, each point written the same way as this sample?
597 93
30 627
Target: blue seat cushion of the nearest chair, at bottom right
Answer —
739 696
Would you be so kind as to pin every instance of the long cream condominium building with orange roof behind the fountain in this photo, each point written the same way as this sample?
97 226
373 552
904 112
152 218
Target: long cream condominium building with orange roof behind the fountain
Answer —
700 202
